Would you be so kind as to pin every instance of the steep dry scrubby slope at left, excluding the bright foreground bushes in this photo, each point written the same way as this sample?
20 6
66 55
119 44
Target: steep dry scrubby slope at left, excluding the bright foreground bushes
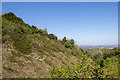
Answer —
29 52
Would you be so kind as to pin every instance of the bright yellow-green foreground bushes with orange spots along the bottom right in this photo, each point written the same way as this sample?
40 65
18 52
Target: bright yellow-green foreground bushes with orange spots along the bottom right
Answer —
87 68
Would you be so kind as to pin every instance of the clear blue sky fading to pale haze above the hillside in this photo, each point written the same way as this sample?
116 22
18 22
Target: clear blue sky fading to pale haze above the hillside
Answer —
88 23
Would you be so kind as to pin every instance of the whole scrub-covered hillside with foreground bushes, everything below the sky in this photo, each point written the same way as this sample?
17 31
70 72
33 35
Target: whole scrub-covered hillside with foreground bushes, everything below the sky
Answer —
31 52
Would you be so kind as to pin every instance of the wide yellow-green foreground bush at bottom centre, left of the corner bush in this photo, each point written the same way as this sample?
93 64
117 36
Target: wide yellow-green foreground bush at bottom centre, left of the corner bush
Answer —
81 70
